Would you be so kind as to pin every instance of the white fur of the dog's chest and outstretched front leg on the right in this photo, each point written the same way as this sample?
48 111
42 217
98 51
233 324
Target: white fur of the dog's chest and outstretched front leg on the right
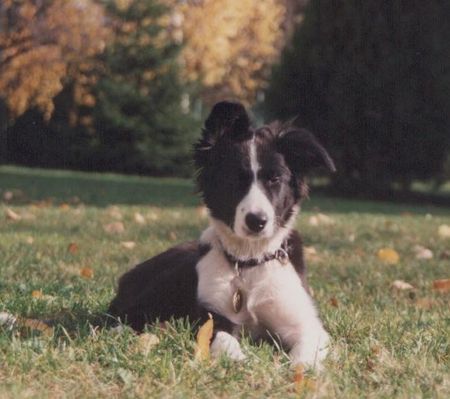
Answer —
274 298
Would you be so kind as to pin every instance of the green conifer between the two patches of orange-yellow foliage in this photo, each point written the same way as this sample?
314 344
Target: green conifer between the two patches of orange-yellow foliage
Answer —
139 120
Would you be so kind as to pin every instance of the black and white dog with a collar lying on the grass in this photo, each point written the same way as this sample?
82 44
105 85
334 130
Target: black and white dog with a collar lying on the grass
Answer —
247 269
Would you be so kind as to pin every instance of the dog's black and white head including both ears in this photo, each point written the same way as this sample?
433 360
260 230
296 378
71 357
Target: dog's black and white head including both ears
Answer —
252 179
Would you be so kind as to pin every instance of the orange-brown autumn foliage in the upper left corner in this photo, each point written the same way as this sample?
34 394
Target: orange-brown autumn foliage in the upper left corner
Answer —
44 44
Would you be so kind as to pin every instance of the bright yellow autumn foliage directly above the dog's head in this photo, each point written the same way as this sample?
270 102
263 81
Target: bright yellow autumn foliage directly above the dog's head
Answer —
229 45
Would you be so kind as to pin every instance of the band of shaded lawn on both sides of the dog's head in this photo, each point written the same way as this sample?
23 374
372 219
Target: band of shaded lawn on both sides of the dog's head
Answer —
95 189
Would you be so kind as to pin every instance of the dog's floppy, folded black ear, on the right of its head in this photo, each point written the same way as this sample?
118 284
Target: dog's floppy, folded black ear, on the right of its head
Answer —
302 152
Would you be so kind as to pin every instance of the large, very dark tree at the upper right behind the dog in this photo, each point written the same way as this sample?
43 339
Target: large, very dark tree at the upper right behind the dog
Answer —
372 79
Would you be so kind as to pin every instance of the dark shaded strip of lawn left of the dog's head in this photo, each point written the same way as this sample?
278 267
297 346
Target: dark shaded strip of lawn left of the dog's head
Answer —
31 185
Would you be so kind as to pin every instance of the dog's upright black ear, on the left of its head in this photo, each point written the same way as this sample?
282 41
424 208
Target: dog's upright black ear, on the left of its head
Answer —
226 118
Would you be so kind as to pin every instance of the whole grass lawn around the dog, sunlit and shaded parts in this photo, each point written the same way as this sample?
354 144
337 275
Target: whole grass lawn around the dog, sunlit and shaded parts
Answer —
385 343
